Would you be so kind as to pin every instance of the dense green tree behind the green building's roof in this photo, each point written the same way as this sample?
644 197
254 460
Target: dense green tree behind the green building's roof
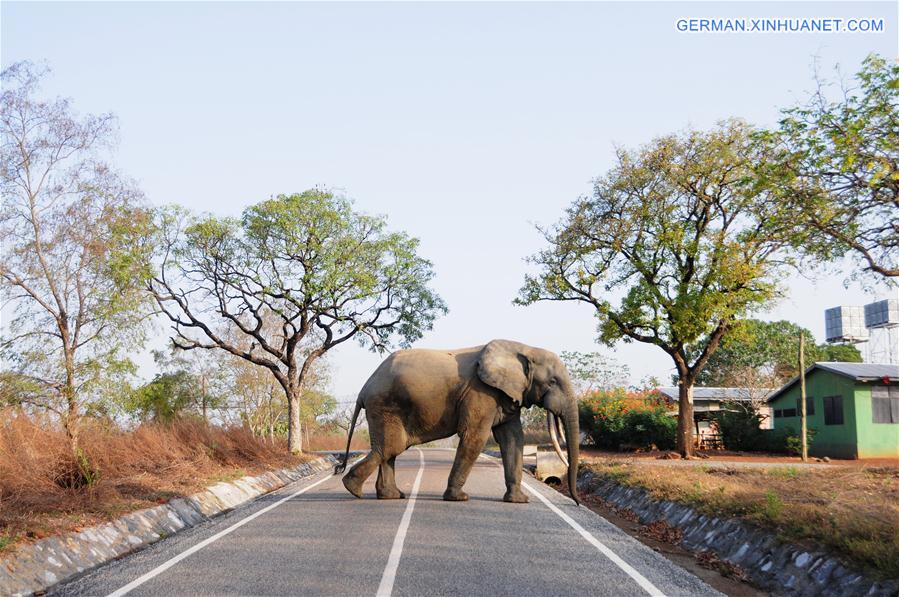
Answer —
766 351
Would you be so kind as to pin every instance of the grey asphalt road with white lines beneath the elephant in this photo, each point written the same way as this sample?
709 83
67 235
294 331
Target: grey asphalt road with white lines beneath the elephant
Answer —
314 538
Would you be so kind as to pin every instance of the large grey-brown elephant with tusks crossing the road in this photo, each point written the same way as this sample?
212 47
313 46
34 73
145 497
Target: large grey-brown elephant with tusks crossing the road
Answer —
417 396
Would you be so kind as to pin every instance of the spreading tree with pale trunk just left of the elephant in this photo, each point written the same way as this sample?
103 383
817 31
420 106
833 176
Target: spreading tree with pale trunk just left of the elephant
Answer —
294 277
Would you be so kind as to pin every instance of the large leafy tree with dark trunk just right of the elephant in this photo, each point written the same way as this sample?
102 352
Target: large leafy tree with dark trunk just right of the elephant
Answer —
679 231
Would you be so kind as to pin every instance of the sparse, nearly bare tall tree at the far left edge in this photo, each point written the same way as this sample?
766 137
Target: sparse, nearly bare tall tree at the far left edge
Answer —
76 247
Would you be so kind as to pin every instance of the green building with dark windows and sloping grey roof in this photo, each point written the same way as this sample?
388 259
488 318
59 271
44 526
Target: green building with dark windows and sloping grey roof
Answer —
853 408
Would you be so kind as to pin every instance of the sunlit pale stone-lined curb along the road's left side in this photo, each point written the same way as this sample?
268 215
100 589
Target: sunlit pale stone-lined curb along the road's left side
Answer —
45 563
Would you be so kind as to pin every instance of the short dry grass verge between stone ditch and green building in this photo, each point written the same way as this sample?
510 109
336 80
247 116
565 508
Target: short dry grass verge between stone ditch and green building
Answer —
852 511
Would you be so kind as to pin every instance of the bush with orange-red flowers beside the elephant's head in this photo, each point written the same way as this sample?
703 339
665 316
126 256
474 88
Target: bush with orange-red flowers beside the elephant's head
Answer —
616 419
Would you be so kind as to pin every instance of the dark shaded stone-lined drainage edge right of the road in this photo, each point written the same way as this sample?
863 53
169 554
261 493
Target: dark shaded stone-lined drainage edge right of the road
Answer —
778 567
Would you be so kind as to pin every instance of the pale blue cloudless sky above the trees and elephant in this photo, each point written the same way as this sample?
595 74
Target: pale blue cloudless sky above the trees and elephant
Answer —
464 123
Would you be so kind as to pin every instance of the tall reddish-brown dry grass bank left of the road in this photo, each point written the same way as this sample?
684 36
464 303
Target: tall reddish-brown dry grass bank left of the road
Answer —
47 488
